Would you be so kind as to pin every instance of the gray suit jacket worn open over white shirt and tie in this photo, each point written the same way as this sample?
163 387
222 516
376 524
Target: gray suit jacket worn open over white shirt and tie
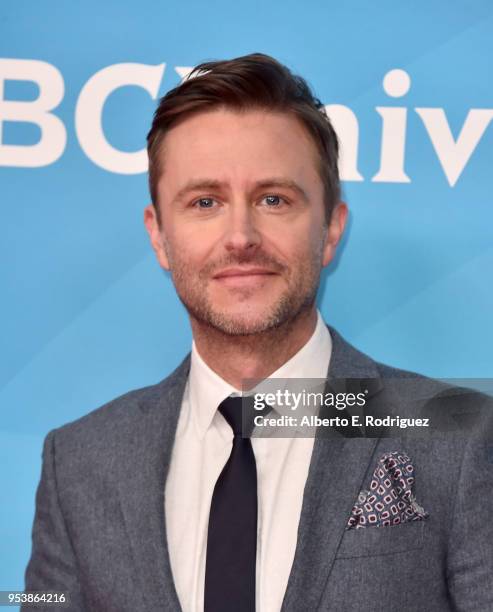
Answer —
99 530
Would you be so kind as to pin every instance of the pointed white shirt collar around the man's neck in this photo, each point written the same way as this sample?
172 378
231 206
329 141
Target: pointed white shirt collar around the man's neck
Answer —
207 389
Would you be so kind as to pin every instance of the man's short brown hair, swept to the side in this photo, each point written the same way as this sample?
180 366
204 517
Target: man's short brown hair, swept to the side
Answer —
255 81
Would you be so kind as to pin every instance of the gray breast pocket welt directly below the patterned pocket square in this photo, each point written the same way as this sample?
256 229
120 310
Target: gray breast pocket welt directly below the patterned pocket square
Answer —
372 541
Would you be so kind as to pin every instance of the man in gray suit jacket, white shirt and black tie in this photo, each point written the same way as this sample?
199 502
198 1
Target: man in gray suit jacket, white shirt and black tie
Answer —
155 501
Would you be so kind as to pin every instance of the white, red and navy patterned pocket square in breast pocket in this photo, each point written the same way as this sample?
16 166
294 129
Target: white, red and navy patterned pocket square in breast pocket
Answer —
390 500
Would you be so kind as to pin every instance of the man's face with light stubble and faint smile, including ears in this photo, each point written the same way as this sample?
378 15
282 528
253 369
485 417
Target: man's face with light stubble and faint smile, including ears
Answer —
243 228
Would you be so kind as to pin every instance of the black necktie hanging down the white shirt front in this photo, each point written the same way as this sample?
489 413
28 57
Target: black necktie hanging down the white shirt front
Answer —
232 535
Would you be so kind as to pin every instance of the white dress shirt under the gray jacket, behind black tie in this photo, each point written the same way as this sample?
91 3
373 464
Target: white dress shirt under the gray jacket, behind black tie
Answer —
202 447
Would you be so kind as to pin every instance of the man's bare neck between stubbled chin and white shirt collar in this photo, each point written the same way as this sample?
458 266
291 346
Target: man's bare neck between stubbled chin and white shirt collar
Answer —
256 356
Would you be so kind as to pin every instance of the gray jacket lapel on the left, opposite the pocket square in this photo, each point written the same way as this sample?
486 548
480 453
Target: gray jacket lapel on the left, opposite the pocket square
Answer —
143 471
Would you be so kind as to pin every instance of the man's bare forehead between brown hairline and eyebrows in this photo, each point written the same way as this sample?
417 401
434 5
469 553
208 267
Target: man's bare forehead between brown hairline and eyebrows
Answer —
238 147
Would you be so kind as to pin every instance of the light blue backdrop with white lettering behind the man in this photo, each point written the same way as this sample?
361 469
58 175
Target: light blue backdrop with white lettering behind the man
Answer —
87 314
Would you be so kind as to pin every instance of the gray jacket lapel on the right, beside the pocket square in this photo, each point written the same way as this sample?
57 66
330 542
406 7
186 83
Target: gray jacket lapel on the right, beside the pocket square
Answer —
337 470
